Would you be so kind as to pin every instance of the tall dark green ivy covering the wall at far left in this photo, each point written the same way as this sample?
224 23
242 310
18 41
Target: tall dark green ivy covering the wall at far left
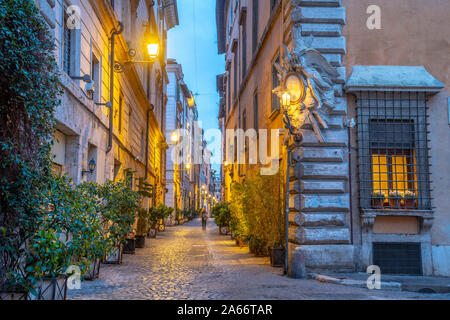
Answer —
29 94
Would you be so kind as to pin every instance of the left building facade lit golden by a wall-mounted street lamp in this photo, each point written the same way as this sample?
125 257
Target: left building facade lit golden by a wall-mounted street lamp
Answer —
115 120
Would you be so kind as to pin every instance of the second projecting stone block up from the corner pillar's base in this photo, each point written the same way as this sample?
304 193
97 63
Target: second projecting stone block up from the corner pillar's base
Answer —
319 202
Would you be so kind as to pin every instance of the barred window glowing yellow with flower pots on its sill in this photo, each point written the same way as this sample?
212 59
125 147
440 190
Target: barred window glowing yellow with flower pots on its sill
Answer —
393 150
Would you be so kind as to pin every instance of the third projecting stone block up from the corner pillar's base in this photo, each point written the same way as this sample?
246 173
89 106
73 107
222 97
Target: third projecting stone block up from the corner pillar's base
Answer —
325 171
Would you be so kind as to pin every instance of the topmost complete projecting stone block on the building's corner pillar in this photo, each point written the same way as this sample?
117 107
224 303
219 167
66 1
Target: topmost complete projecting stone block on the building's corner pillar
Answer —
318 15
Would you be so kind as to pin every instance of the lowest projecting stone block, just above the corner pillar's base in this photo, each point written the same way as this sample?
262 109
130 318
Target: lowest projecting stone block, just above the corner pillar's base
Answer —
322 235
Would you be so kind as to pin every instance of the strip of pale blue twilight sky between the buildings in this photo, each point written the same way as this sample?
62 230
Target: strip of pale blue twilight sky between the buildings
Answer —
194 45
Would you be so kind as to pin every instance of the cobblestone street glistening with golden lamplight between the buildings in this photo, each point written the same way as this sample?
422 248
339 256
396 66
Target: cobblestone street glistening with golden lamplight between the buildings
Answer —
186 263
